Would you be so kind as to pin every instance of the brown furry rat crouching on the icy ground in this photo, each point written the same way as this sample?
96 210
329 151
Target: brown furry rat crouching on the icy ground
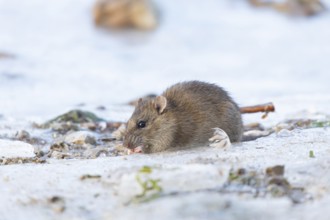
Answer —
184 115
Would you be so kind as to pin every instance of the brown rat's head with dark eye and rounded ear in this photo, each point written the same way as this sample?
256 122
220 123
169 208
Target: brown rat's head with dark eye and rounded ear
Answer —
149 129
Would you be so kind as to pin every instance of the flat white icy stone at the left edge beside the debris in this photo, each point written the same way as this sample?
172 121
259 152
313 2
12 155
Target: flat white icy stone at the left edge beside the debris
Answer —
10 149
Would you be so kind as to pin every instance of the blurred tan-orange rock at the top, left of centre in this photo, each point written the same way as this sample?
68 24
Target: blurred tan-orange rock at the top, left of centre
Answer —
137 14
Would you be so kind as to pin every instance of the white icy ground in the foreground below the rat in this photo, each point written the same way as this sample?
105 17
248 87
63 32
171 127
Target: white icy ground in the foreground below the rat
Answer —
26 189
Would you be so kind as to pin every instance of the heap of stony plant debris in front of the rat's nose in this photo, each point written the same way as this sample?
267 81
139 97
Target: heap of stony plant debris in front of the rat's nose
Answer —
76 134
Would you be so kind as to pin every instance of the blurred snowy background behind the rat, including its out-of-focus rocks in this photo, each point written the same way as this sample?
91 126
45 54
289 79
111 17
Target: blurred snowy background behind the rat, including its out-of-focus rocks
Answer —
57 55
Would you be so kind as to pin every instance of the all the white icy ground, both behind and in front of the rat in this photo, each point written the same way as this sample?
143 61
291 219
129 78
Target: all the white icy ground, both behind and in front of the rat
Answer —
61 60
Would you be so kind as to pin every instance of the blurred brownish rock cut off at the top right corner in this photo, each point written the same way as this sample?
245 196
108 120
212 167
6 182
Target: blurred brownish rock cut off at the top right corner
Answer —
293 7
